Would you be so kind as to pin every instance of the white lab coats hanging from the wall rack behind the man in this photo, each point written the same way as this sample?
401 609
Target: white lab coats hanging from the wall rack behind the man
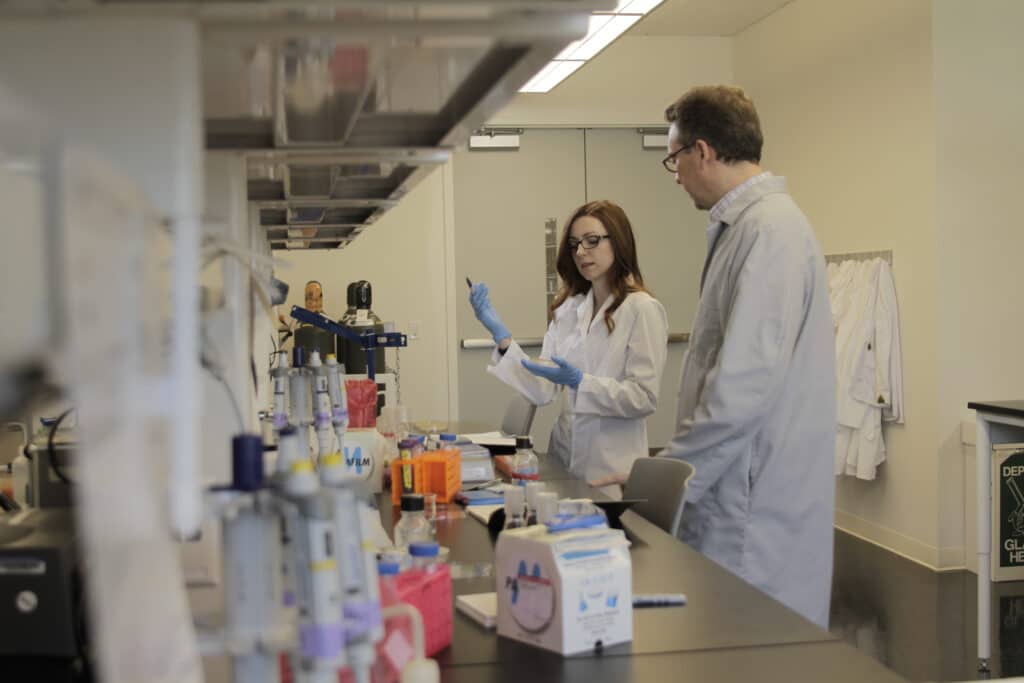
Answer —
870 365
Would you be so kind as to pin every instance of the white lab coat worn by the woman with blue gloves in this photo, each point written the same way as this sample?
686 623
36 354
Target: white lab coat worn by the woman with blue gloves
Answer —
603 425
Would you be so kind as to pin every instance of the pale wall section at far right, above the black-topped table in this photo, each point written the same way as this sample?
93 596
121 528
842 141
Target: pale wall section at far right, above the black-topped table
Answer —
979 106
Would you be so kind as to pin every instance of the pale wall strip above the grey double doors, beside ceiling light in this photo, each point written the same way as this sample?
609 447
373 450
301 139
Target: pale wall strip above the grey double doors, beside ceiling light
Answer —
629 84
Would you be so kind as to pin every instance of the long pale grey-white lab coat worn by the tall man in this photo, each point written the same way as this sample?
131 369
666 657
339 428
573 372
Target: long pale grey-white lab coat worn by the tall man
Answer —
757 405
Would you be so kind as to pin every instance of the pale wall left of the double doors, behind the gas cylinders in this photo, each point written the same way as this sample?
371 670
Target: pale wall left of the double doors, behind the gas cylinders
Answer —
406 259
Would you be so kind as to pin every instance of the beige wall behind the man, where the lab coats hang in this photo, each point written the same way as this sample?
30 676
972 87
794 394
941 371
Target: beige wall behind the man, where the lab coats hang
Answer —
846 100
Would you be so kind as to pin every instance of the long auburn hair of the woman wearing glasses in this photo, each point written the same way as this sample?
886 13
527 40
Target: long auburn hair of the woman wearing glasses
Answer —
624 276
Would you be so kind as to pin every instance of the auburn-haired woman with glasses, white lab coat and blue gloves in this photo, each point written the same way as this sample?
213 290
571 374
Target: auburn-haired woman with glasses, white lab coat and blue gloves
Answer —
604 353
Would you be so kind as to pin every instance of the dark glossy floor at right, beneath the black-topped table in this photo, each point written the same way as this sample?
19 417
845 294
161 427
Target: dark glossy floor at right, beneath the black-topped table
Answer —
921 624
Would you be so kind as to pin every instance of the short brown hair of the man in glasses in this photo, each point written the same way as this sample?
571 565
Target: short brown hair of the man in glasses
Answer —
723 117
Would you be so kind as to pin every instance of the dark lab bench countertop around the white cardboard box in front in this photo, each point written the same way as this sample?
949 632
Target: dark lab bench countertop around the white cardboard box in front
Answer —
729 631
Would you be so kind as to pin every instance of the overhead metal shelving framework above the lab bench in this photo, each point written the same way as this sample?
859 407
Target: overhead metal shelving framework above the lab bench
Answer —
342 107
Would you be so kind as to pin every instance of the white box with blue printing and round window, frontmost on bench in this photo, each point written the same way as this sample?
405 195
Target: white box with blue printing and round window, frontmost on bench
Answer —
568 592
